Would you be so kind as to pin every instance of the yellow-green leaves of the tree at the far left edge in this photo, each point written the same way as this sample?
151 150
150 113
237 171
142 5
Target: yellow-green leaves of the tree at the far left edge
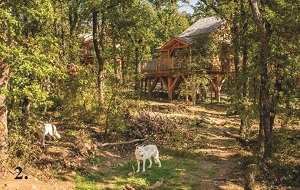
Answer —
32 58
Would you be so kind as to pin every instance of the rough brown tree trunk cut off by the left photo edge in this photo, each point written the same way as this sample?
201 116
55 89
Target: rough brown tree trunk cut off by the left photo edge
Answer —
4 73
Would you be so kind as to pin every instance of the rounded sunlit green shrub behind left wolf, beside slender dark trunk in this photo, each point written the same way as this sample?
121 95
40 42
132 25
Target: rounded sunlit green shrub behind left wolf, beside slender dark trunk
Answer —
77 97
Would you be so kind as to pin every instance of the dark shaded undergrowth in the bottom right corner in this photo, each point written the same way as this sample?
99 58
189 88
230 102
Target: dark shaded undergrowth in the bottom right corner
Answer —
282 169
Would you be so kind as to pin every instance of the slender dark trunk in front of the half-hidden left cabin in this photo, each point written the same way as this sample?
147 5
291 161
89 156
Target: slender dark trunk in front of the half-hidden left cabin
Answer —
98 56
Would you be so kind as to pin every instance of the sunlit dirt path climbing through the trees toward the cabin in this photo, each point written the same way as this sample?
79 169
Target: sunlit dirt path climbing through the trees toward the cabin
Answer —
222 166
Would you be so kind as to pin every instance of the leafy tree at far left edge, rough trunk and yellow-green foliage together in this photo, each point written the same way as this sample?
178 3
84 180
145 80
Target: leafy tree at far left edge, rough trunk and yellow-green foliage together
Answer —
29 59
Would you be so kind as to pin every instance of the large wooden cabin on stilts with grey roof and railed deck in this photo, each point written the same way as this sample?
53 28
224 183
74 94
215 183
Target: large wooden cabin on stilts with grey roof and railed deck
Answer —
202 50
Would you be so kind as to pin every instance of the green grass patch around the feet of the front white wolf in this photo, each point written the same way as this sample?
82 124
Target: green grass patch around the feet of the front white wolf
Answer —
180 170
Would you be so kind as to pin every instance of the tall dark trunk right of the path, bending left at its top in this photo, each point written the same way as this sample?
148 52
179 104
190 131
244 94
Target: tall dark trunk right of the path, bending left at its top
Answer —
264 99
